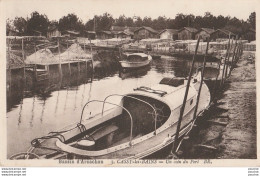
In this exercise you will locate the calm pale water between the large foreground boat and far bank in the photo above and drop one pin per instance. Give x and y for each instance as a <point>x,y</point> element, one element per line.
<point>53,104</point>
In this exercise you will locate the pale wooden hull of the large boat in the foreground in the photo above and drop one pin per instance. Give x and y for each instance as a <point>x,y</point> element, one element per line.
<point>140,146</point>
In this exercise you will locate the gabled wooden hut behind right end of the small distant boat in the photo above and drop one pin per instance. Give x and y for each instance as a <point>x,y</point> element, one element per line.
<point>145,32</point>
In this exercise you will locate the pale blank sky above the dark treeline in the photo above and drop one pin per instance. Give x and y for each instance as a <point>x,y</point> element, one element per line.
<point>86,9</point>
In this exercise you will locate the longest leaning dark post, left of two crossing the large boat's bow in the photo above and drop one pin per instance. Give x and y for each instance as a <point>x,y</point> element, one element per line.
<point>176,141</point>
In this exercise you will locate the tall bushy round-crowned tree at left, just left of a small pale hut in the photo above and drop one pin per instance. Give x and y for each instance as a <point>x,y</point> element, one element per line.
<point>37,22</point>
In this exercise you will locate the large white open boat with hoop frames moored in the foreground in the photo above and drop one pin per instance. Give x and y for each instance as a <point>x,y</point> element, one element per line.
<point>142,123</point>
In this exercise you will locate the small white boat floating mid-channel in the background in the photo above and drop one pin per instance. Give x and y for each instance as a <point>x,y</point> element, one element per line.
<point>135,60</point>
